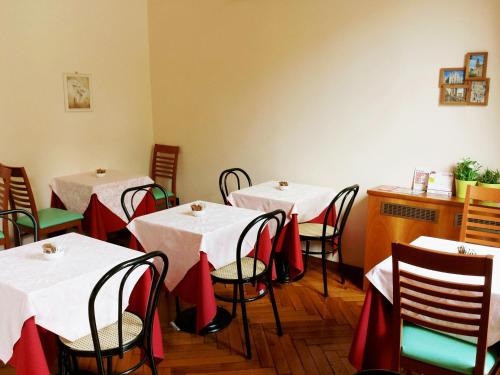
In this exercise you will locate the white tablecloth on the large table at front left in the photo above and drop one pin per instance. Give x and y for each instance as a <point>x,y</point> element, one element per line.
<point>56,292</point>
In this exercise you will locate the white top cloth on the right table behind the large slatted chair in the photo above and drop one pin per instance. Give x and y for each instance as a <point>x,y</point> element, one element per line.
<point>381,276</point>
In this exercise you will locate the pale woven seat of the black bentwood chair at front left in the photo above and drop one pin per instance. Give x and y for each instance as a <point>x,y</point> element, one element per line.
<point>108,336</point>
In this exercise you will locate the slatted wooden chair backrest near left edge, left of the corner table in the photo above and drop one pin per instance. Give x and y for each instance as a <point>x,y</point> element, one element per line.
<point>20,194</point>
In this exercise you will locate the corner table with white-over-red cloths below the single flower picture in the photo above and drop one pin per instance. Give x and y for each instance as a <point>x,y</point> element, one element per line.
<point>98,197</point>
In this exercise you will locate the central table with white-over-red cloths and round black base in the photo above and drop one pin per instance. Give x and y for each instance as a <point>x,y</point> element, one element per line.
<point>196,245</point>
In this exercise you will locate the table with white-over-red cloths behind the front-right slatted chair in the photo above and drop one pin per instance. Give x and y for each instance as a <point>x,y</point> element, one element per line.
<point>372,343</point>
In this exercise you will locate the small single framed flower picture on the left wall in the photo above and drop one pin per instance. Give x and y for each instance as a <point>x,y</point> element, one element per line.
<point>77,92</point>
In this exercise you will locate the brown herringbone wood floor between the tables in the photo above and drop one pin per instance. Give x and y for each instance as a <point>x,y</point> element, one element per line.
<point>316,340</point>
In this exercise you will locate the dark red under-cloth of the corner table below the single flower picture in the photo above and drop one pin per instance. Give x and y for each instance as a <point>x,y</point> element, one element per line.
<point>98,220</point>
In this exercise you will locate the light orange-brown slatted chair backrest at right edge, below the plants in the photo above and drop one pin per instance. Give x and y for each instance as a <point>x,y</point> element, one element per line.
<point>481,216</point>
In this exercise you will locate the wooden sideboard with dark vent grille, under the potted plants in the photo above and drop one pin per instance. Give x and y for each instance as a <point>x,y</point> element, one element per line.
<point>395,214</point>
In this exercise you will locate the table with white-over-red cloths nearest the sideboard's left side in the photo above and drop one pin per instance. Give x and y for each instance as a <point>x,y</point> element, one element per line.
<point>302,204</point>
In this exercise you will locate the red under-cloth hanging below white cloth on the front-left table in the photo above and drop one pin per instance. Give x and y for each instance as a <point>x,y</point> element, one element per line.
<point>36,349</point>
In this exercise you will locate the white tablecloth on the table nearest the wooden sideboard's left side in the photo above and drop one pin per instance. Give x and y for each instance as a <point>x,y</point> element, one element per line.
<point>304,200</point>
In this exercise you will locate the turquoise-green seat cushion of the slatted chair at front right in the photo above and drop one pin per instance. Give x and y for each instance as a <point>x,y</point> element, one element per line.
<point>444,351</point>
